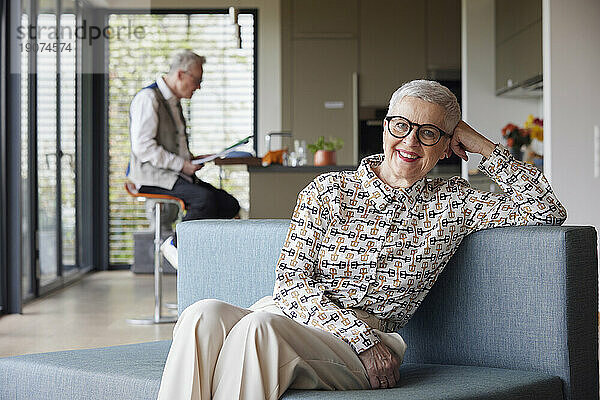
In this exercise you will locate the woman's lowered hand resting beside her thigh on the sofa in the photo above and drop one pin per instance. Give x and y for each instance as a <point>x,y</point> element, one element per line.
<point>382,366</point>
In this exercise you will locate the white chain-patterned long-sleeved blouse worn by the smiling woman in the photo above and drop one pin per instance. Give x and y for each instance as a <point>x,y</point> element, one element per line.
<point>355,242</point>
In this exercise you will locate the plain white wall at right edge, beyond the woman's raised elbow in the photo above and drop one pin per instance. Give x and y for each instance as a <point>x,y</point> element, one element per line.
<point>572,104</point>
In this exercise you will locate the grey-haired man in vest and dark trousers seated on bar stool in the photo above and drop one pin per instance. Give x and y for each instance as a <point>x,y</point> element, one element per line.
<point>160,156</point>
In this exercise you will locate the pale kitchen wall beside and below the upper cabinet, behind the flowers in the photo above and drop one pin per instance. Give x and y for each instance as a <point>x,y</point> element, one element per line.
<point>481,108</point>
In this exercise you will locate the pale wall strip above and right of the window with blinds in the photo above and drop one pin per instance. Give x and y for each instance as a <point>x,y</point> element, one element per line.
<point>269,50</point>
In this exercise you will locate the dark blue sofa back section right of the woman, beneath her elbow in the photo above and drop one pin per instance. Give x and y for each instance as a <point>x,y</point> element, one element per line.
<point>520,298</point>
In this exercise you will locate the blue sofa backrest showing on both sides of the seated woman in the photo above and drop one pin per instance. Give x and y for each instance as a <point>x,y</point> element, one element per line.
<point>518,297</point>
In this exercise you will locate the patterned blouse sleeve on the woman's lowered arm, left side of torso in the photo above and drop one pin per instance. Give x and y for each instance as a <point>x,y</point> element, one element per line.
<point>297,291</point>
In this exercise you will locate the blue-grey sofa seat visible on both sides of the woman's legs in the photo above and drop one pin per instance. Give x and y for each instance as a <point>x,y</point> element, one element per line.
<point>134,372</point>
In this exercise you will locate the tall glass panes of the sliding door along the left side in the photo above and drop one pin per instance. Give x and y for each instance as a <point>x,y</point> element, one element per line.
<point>49,143</point>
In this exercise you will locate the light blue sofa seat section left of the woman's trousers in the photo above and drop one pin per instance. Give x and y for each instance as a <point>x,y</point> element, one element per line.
<point>119,372</point>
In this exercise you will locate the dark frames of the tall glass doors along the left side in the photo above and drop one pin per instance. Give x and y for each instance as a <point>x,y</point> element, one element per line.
<point>12,202</point>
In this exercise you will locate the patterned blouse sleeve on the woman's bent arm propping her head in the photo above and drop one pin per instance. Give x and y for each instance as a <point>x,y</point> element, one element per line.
<point>528,198</point>
